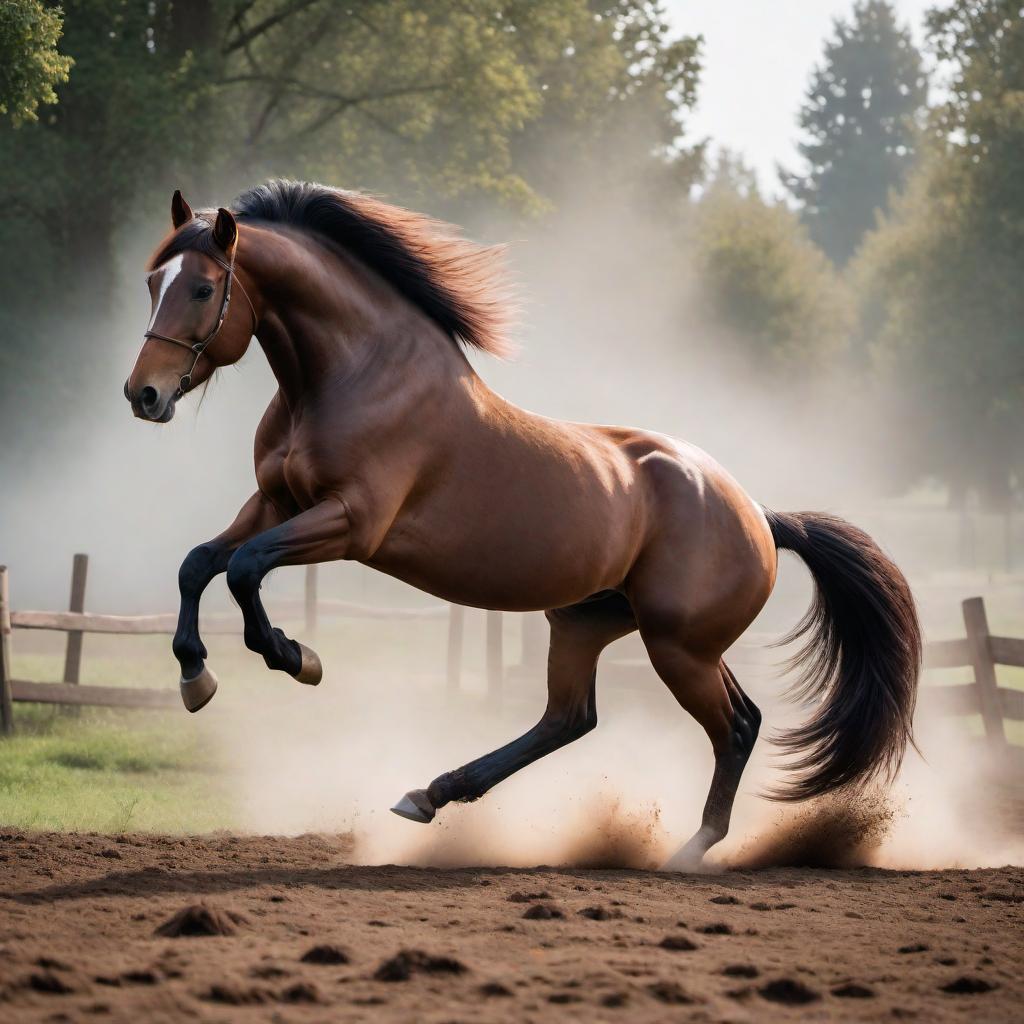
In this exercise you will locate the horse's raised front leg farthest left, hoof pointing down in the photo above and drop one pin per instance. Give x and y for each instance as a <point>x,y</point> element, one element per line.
<point>199,569</point>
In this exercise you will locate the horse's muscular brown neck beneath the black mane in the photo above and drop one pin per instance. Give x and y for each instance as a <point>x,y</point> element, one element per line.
<point>327,320</point>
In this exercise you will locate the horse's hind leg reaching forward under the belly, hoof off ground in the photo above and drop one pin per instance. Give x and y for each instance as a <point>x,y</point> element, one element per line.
<point>579,634</point>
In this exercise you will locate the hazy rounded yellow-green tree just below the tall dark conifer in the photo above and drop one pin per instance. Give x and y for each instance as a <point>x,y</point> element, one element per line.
<point>763,281</point>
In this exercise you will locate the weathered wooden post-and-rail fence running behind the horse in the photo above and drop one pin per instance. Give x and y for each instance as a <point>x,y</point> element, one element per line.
<point>979,651</point>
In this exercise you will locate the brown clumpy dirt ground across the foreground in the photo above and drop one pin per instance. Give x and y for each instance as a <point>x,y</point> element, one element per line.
<point>88,923</point>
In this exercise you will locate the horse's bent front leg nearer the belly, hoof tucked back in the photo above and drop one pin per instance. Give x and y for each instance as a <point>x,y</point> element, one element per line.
<point>319,535</point>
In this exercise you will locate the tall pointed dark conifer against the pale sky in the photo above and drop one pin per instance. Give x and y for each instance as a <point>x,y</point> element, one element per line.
<point>860,122</point>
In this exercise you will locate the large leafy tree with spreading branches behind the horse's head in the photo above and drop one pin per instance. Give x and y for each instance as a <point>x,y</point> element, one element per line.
<point>406,98</point>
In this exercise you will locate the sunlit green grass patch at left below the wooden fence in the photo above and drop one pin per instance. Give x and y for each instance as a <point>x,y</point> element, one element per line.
<point>102,771</point>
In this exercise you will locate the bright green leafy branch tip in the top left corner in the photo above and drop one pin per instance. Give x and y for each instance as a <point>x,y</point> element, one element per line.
<point>30,64</point>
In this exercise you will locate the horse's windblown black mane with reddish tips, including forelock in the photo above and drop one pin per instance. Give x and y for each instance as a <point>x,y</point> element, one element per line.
<point>458,284</point>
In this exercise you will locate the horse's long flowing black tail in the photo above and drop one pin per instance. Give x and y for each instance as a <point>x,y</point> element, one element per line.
<point>862,659</point>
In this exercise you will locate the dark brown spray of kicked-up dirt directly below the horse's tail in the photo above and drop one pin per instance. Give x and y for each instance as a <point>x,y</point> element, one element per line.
<point>840,831</point>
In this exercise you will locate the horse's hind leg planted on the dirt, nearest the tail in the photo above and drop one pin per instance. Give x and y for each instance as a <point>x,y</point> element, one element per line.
<point>710,693</point>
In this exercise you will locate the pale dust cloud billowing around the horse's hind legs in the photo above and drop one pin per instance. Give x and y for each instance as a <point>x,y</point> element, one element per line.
<point>628,795</point>
